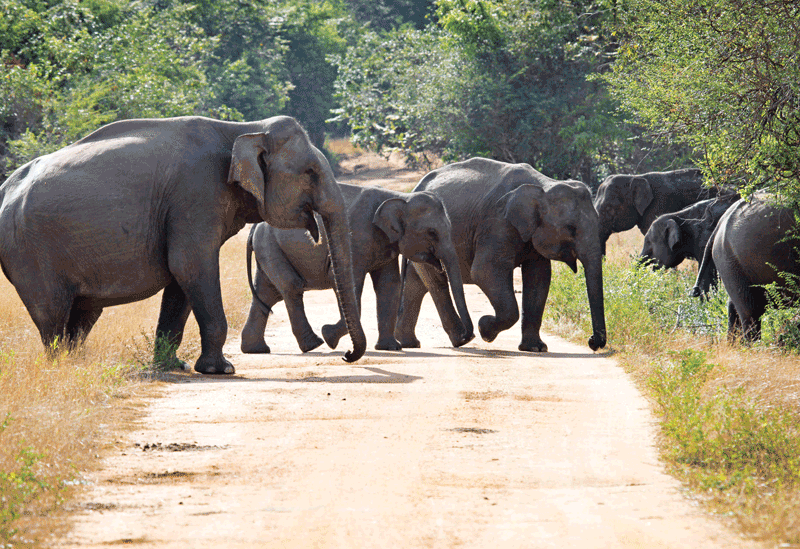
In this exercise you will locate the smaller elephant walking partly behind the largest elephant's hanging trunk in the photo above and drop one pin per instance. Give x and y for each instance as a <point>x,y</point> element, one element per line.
<point>384,224</point>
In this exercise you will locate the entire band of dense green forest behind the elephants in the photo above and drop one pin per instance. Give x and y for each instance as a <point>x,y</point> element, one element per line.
<point>579,88</point>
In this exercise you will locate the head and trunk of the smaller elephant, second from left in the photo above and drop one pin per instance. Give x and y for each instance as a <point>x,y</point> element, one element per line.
<point>420,226</point>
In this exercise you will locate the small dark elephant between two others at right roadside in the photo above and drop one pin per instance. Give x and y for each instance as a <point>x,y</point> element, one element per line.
<point>684,234</point>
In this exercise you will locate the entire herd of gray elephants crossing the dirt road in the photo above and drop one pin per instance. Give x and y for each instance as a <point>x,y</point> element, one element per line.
<point>141,206</point>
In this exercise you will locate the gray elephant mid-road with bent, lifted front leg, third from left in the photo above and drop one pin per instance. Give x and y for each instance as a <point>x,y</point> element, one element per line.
<point>505,216</point>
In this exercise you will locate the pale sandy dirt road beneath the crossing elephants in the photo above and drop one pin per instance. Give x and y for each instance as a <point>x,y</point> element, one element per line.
<point>477,447</point>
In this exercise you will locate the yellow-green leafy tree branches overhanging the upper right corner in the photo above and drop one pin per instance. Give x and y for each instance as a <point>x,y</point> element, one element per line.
<point>721,76</point>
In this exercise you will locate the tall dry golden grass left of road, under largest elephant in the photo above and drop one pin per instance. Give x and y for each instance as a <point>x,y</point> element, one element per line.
<point>57,415</point>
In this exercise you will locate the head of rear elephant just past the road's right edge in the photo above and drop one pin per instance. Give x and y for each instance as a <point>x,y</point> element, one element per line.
<point>621,202</point>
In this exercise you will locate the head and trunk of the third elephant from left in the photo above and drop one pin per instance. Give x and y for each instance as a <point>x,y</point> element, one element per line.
<point>560,221</point>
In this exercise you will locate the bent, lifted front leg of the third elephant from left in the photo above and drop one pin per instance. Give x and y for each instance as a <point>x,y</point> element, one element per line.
<point>497,282</point>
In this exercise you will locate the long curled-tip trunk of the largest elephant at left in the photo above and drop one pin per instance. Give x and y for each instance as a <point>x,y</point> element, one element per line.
<point>332,210</point>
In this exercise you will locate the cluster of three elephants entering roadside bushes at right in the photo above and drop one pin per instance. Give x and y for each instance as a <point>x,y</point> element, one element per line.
<point>747,243</point>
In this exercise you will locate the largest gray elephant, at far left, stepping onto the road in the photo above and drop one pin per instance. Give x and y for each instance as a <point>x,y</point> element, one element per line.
<point>144,205</point>
